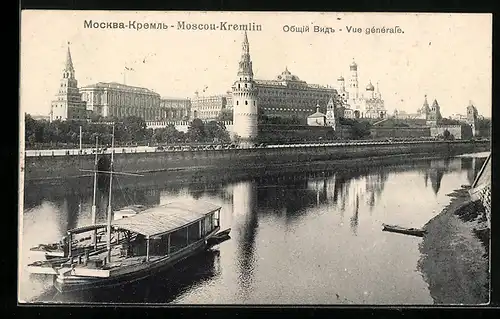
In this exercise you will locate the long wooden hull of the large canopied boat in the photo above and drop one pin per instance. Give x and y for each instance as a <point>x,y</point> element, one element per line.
<point>72,283</point>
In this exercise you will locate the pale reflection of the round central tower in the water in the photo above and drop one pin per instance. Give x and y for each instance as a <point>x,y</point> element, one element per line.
<point>244,212</point>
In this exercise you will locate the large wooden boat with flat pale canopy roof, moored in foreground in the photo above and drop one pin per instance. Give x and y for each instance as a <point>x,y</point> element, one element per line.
<point>165,235</point>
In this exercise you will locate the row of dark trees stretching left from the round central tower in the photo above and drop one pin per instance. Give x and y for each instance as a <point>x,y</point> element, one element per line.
<point>131,130</point>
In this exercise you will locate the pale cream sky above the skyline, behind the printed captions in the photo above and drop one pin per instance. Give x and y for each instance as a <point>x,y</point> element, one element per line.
<point>445,56</point>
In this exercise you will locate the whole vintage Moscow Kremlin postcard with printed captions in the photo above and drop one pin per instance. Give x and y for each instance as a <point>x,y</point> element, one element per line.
<point>254,158</point>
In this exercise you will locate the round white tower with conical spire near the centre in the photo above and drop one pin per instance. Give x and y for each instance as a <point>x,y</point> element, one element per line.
<point>245,103</point>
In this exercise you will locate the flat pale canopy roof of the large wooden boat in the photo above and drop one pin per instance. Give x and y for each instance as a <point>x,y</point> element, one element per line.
<point>166,218</point>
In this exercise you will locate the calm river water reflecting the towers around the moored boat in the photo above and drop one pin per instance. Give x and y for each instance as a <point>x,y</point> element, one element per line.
<point>301,237</point>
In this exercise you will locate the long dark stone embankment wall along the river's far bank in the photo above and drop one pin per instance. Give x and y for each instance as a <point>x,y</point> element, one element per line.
<point>57,167</point>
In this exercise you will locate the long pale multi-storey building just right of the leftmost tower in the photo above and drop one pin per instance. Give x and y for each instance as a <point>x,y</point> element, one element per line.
<point>119,100</point>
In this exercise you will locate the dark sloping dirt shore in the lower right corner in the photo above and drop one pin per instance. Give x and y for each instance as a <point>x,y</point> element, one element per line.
<point>455,253</point>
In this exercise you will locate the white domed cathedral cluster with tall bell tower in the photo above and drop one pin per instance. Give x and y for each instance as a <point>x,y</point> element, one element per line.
<point>360,105</point>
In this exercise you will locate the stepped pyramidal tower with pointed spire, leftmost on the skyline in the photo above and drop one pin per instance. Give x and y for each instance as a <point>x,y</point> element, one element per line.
<point>68,104</point>
